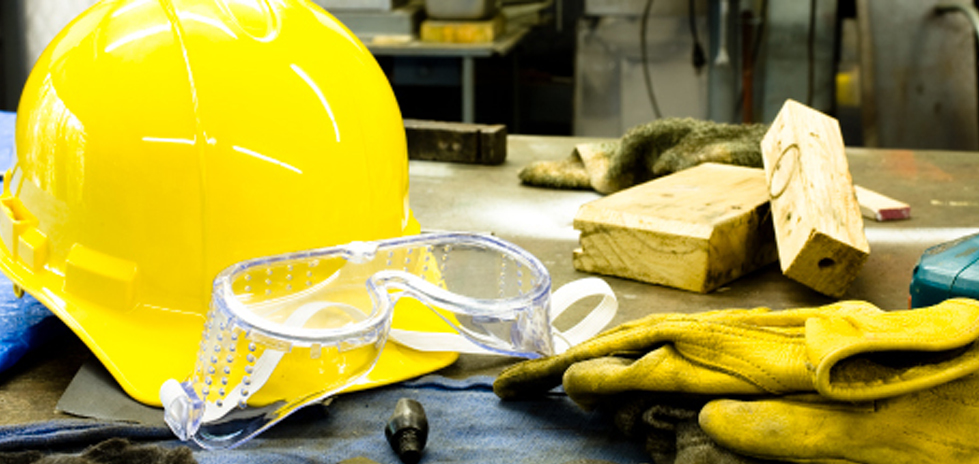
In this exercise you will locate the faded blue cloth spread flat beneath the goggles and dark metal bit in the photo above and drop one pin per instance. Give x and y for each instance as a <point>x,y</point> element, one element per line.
<point>467,424</point>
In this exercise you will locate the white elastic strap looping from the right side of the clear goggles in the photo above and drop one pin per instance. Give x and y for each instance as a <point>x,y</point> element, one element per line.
<point>561,299</point>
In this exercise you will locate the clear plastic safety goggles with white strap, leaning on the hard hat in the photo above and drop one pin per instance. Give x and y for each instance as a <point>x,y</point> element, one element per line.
<point>290,330</point>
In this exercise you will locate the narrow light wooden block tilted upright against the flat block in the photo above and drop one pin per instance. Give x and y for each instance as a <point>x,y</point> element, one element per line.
<point>821,242</point>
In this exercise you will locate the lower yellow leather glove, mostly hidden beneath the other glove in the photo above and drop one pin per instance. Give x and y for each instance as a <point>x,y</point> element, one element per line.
<point>937,425</point>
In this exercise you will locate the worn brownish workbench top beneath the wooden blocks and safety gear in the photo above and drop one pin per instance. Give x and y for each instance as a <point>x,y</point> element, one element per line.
<point>939,186</point>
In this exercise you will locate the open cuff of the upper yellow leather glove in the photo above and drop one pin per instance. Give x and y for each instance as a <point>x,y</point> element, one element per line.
<point>865,355</point>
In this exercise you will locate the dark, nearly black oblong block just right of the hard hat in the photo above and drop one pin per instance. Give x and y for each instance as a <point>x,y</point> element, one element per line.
<point>456,142</point>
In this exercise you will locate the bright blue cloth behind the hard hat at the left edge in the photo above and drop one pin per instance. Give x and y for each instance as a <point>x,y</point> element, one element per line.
<point>24,322</point>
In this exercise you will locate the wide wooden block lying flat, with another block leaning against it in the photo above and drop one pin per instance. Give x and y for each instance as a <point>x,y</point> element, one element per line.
<point>696,229</point>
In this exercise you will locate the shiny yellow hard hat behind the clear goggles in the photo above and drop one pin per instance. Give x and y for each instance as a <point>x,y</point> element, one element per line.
<point>161,141</point>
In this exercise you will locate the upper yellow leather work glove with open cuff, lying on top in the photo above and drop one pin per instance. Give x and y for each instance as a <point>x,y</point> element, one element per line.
<point>849,351</point>
